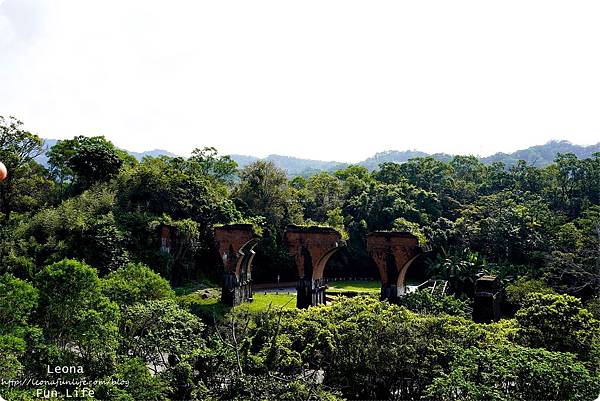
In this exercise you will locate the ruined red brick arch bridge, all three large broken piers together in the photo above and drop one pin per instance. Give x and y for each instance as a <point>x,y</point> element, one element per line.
<point>311,248</point>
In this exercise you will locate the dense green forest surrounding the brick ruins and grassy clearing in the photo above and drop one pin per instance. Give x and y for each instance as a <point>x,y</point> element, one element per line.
<point>83,280</point>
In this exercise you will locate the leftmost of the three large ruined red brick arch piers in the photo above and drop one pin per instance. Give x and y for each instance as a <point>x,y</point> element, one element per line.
<point>235,244</point>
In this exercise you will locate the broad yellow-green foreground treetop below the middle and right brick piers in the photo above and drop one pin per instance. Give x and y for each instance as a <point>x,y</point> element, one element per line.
<point>374,350</point>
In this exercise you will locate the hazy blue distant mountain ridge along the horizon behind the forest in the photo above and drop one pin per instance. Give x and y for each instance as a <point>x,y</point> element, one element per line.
<point>539,156</point>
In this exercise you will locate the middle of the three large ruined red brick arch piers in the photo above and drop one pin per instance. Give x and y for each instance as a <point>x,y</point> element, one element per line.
<point>311,248</point>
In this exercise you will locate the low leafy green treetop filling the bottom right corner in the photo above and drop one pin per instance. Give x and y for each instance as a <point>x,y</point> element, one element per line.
<point>512,372</point>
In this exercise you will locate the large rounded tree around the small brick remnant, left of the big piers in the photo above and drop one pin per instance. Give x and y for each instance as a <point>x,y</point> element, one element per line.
<point>178,193</point>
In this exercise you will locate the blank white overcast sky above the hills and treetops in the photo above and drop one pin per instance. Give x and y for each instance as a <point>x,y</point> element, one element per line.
<point>332,80</point>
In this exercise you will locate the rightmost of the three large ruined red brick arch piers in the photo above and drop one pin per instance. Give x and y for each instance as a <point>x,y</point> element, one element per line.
<point>393,253</point>
